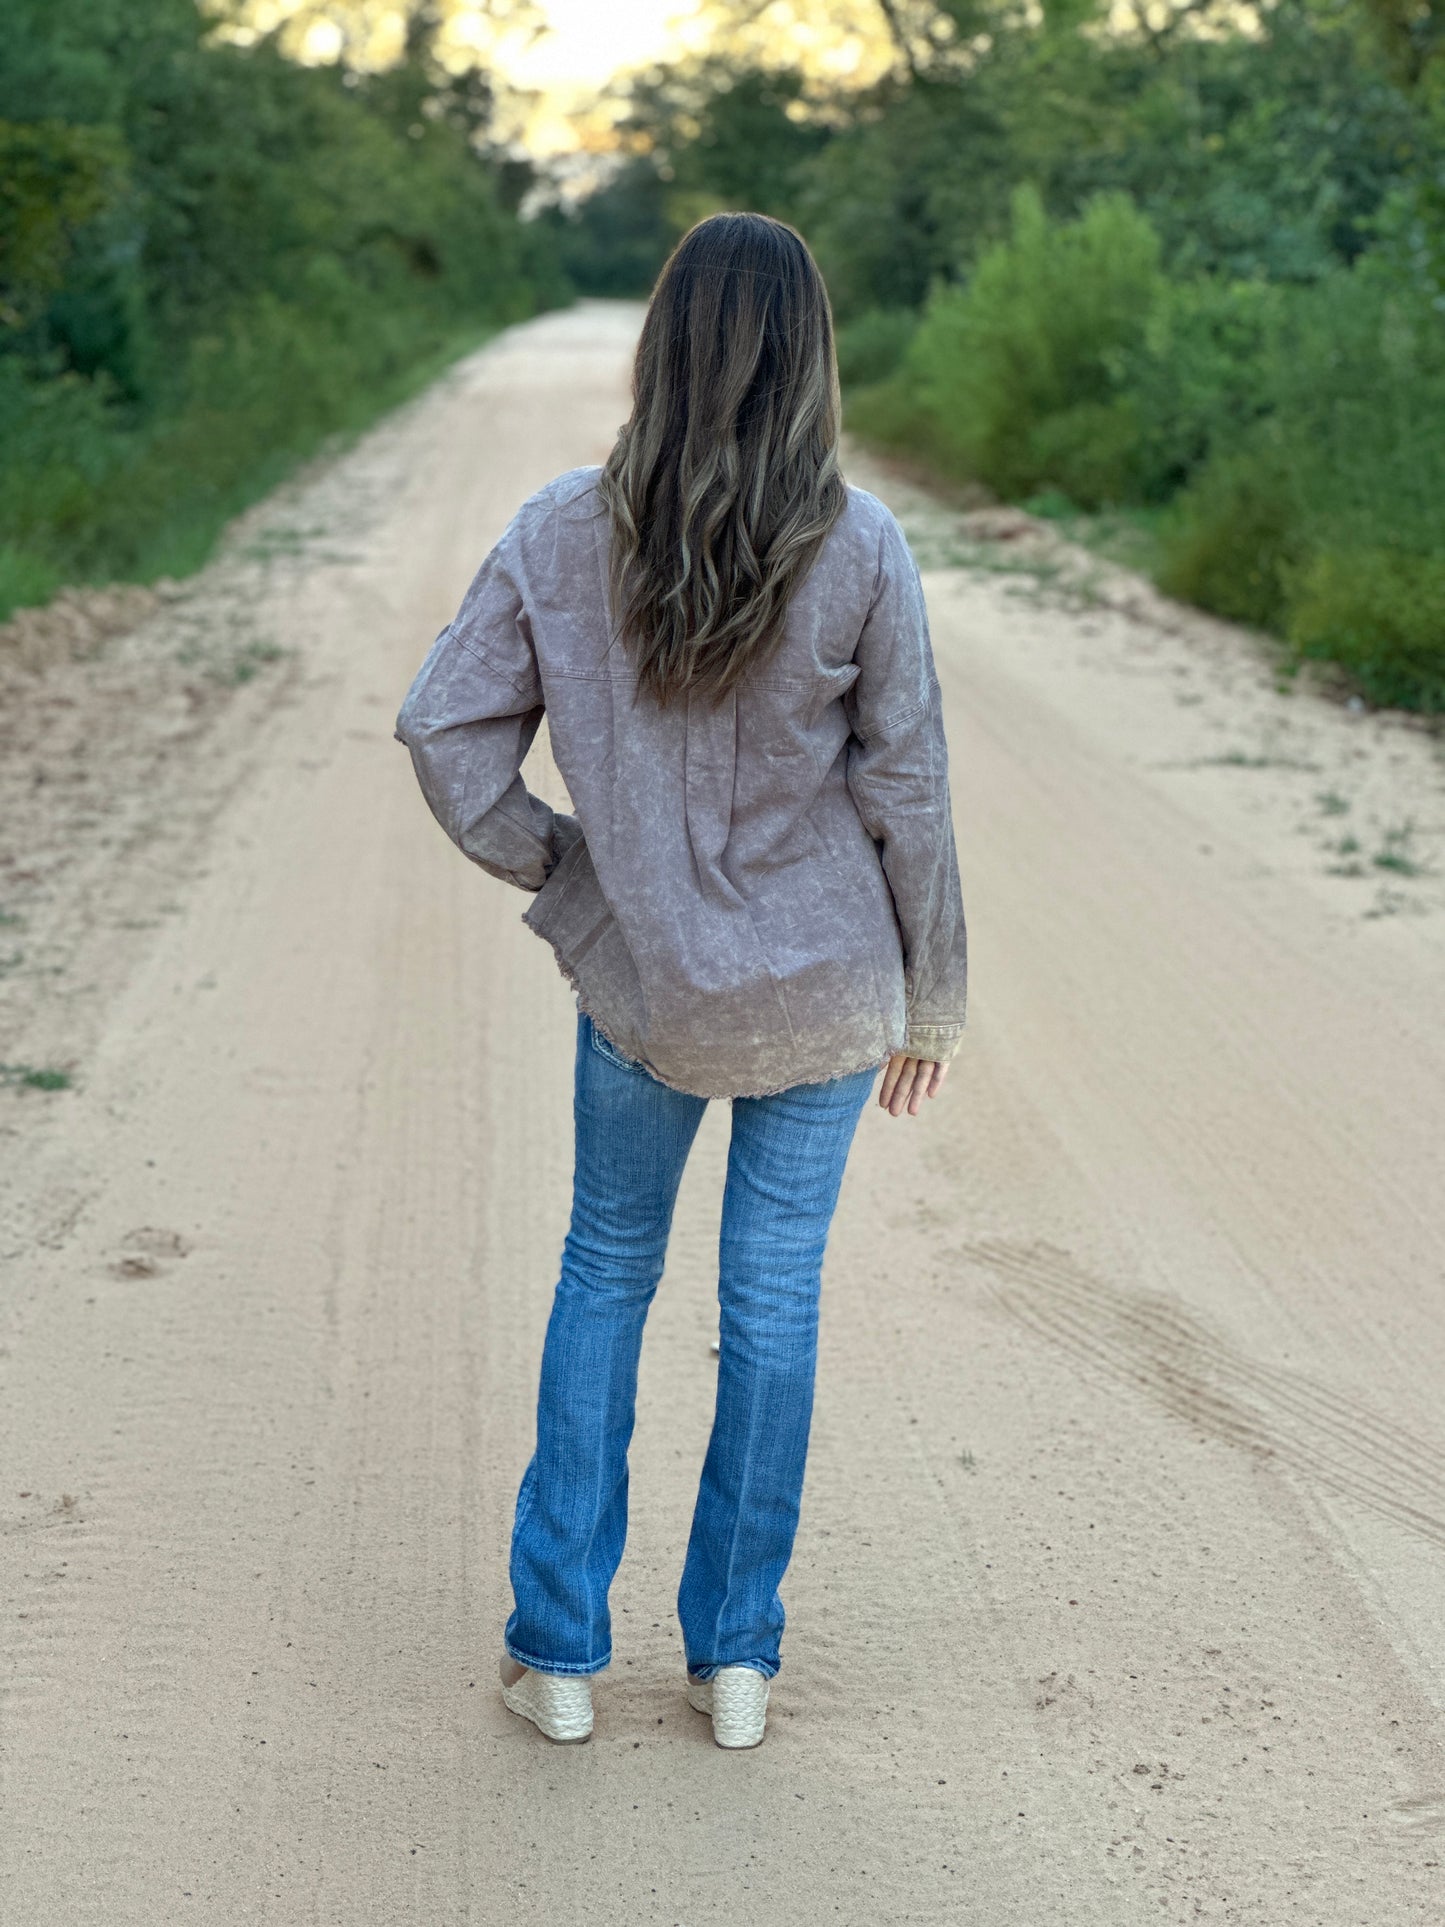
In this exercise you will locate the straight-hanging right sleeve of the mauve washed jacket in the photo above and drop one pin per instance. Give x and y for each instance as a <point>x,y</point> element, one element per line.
<point>899,779</point>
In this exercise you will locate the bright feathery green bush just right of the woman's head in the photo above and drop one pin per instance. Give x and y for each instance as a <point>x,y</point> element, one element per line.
<point>1070,361</point>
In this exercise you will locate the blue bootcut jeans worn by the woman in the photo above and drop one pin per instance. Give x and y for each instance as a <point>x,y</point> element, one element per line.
<point>785,1169</point>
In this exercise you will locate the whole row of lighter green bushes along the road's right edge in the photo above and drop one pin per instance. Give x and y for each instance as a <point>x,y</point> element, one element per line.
<point>1294,435</point>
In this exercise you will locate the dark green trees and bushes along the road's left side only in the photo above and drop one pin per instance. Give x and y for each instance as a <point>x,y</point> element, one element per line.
<point>215,259</point>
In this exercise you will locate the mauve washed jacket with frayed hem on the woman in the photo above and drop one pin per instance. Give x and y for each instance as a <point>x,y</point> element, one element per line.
<point>750,895</point>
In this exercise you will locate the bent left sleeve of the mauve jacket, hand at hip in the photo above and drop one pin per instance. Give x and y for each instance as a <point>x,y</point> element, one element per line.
<point>469,722</point>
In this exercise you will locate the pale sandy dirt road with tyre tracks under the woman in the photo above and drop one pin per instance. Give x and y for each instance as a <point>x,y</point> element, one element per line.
<point>1122,1573</point>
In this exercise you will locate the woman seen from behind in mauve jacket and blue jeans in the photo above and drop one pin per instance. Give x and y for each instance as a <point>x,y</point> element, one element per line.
<point>754,901</point>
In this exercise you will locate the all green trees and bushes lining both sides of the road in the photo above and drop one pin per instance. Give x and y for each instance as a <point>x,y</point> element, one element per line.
<point>1169,275</point>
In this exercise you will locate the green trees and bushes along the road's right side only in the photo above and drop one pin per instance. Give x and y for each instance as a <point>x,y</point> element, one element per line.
<point>1174,277</point>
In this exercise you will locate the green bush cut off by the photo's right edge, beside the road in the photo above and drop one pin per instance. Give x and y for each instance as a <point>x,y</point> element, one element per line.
<point>1325,519</point>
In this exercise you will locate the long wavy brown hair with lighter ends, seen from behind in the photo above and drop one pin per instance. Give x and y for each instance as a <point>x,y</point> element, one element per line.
<point>725,481</point>
